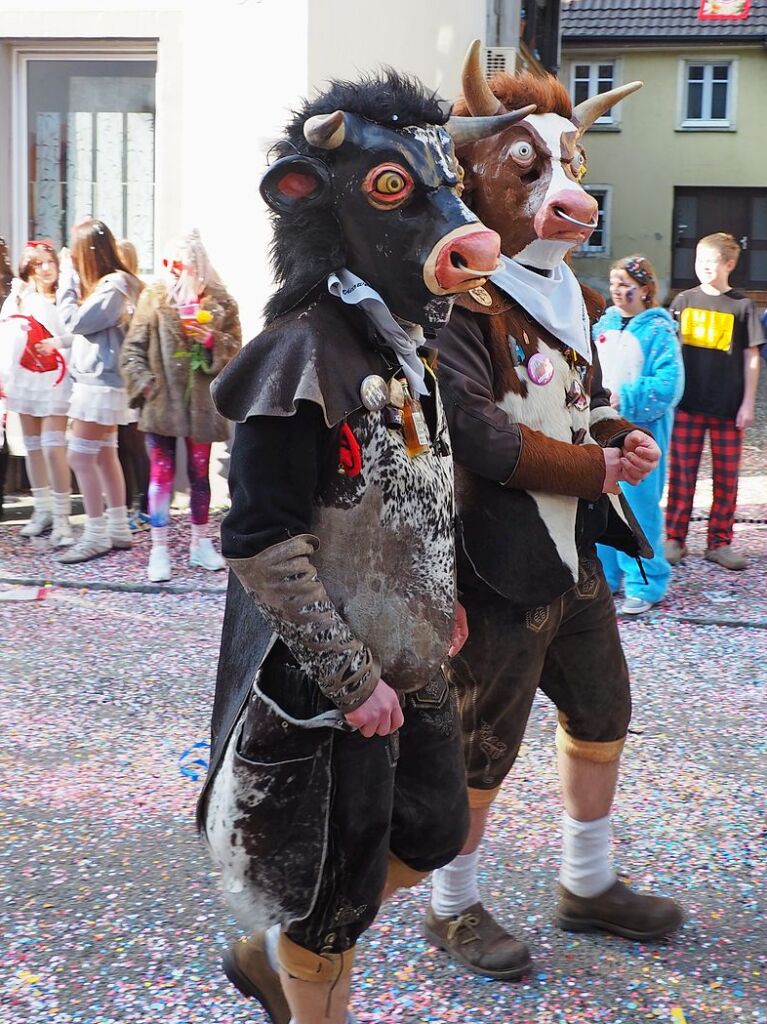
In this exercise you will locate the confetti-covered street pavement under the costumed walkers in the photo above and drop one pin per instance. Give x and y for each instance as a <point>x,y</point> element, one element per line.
<point>111,913</point>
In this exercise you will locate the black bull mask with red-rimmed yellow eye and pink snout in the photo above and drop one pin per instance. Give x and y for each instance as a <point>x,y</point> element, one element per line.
<point>395,193</point>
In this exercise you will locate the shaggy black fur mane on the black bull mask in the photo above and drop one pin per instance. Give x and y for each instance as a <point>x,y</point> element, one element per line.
<point>308,245</point>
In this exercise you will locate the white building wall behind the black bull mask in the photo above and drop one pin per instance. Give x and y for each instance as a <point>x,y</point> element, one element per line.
<point>229,73</point>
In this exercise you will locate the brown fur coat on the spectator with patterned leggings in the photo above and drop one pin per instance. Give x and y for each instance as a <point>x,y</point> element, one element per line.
<point>180,404</point>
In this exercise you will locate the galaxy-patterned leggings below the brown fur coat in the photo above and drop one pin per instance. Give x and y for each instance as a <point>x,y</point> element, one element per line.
<point>163,471</point>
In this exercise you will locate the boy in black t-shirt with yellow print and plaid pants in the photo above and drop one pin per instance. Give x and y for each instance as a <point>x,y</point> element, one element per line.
<point>720,334</point>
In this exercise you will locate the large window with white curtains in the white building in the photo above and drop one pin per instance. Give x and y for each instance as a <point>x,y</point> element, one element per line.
<point>91,147</point>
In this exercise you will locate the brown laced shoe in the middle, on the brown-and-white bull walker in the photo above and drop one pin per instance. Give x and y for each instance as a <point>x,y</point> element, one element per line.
<point>477,940</point>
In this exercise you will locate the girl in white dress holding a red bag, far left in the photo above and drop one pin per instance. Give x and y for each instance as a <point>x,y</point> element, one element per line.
<point>34,348</point>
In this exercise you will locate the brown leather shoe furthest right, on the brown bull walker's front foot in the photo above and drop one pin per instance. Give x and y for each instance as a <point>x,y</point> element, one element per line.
<point>621,912</point>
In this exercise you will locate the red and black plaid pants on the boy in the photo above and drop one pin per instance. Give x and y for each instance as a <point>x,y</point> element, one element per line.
<point>685,459</point>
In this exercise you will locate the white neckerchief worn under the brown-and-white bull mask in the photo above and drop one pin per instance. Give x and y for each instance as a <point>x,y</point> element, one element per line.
<point>556,301</point>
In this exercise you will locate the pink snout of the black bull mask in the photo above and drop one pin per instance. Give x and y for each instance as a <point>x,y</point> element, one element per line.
<point>462,260</point>
